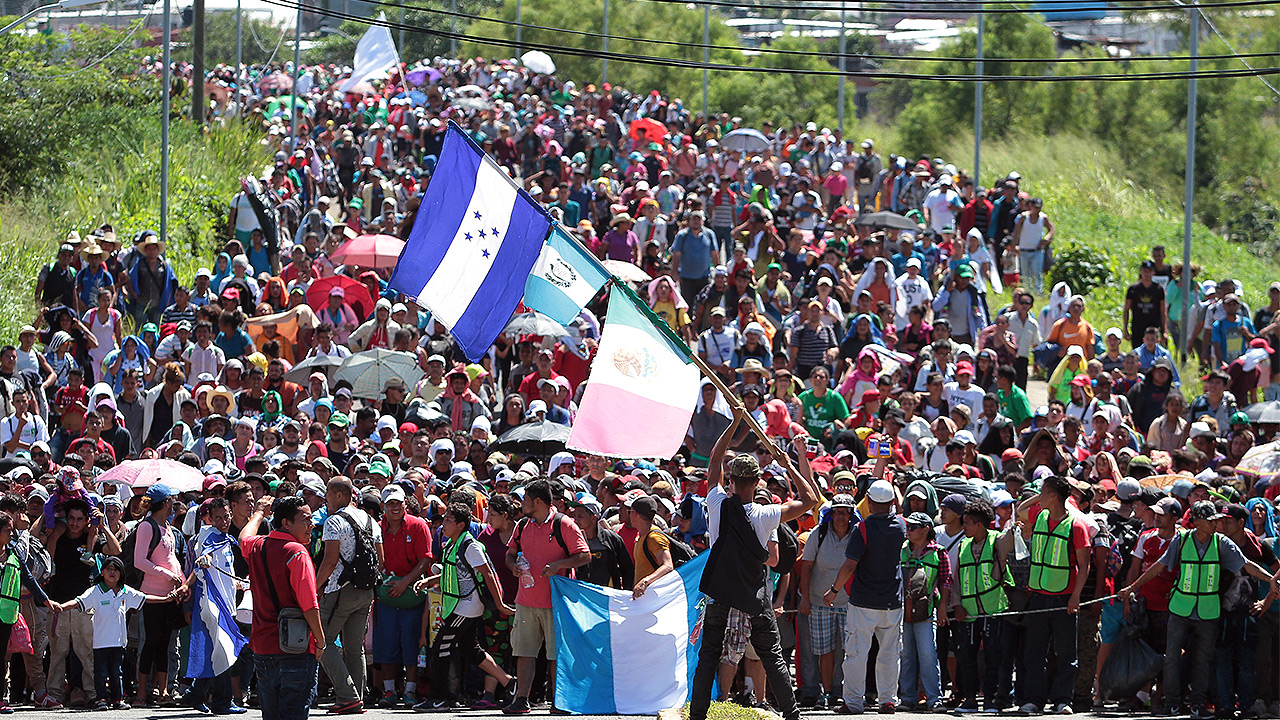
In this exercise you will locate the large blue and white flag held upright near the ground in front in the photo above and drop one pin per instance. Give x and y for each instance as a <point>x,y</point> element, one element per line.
<point>623,657</point>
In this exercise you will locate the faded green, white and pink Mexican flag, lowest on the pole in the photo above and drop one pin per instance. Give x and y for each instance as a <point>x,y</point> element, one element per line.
<point>642,379</point>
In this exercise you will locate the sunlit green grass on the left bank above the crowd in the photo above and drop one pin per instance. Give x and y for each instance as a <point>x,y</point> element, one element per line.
<point>121,185</point>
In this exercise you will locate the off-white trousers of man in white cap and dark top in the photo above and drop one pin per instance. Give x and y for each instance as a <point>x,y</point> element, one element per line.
<point>862,625</point>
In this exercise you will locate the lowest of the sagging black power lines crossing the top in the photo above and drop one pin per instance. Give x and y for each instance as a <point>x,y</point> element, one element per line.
<point>694,65</point>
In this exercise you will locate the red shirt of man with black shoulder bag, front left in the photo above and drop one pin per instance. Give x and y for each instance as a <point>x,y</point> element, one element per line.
<point>285,566</point>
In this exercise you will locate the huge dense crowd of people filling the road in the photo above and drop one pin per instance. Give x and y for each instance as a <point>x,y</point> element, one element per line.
<point>943,545</point>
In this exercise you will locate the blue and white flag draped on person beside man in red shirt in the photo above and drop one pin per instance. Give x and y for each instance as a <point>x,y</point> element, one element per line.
<point>216,639</point>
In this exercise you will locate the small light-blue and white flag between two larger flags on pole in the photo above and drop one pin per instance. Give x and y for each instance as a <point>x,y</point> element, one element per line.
<point>565,279</point>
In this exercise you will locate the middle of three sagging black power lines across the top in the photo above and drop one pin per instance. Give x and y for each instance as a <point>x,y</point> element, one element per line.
<point>816,54</point>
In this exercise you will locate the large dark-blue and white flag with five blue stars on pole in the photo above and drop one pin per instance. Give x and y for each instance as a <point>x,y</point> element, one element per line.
<point>474,241</point>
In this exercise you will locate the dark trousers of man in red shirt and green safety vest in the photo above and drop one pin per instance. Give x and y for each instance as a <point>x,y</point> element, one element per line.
<point>1059,627</point>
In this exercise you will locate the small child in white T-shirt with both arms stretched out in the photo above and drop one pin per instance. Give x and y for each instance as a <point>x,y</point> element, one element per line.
<point>111,600</point>
